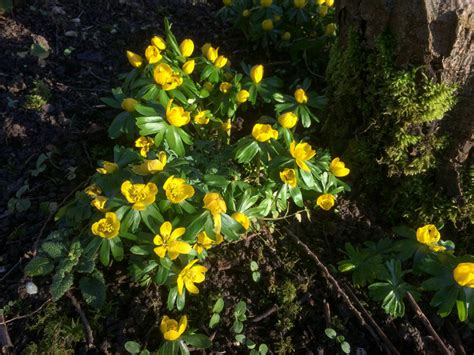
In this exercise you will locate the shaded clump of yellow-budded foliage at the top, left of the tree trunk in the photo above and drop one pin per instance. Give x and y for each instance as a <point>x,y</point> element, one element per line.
<point>300,28</point>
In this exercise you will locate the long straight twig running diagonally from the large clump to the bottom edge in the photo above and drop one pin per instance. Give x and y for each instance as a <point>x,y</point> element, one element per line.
<point>378,334</point>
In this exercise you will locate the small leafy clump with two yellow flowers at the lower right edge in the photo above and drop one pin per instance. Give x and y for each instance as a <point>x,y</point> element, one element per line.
<point>389,267</point>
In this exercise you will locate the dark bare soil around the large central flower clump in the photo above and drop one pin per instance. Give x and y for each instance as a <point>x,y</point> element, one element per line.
<point>289,307</point>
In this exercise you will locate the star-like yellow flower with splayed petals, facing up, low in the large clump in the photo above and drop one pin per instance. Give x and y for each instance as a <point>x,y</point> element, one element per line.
<point>167,242</point>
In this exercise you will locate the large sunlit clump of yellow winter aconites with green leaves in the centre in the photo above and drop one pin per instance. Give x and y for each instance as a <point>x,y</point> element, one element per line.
<point>186,180</point>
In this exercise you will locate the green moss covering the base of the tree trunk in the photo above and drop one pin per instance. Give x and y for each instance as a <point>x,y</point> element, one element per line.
<point>387,121</point>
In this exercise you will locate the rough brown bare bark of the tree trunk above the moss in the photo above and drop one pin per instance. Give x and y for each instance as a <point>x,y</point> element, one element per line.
<point>435,33</point>
